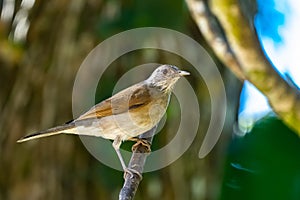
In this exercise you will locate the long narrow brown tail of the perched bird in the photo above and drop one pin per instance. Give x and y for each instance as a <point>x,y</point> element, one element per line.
<point>66,128</point>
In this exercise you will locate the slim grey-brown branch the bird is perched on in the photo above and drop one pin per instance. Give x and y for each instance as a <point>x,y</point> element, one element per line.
<point>137,163</point>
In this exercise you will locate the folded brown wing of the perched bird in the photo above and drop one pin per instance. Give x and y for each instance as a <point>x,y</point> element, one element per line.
<point>129,98</point>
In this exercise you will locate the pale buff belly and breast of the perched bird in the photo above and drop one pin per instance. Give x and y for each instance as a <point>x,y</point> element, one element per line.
<point>125,125</point>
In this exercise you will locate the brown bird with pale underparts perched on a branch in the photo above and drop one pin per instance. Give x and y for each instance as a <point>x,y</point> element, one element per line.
<point>125,115</point>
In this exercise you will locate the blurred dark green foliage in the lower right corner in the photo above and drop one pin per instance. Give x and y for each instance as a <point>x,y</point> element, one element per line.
<point>264,164</point>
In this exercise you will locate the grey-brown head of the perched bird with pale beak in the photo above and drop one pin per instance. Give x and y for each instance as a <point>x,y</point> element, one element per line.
<point>165,76</point>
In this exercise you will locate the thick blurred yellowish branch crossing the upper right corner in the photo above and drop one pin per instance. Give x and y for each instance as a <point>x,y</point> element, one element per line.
<point>242,44</point>
